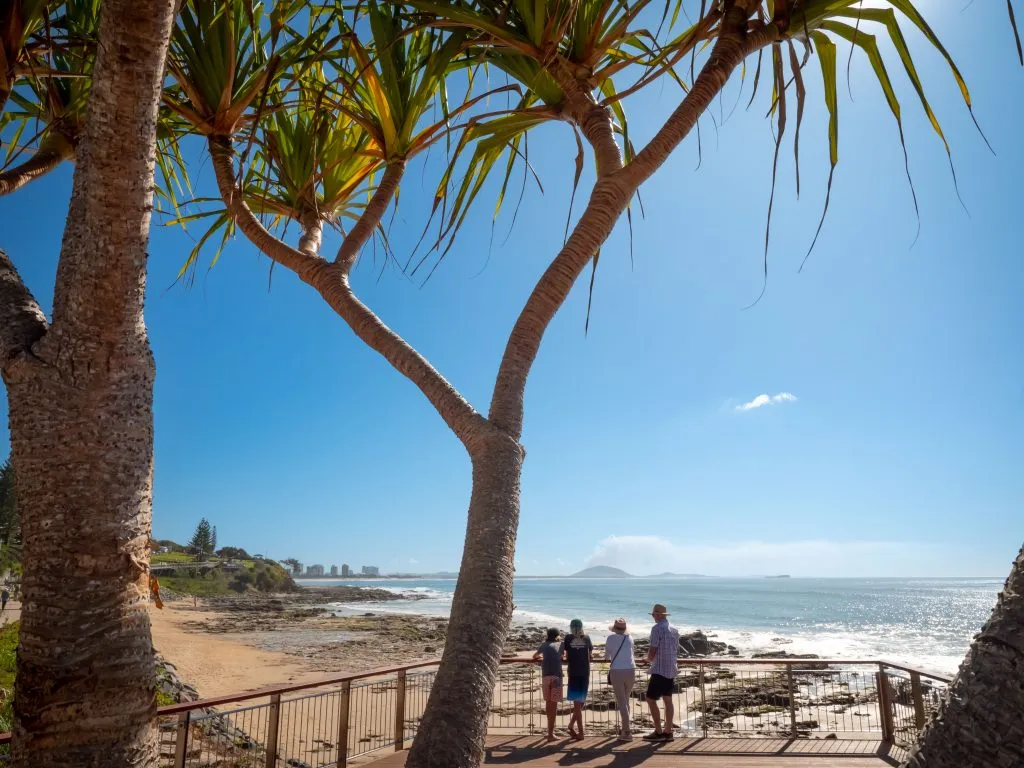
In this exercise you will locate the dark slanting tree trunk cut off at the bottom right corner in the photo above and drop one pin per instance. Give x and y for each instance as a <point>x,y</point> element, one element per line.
<point>982,720</point>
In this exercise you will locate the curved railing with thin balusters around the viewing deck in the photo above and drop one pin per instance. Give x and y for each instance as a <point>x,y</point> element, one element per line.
<point>328,722</point>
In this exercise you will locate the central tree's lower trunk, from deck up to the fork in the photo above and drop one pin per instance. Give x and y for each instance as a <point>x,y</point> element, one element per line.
<point>455,722</point>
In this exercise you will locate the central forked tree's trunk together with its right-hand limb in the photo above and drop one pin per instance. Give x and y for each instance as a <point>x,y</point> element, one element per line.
<point>454,727</point>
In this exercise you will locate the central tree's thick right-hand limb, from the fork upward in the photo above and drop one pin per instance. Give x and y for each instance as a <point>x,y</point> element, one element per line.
<point>609,200</point>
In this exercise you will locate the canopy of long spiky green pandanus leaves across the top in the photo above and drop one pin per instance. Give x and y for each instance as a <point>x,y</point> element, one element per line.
<point>318,101</point>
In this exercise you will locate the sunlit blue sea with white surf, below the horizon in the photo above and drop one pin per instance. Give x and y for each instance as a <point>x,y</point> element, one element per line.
<point>928,623</point>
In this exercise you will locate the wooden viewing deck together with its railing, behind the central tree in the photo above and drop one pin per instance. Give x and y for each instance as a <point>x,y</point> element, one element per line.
<point>744,713</point>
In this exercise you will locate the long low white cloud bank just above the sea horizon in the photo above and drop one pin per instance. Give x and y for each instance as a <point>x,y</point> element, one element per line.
<point>652,554</point>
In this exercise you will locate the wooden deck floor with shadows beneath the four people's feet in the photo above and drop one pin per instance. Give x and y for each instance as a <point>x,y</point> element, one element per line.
<point>603,752</point>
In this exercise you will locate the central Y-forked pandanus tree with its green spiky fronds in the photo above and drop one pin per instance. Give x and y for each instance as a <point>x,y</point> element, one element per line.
<point>326,138</point>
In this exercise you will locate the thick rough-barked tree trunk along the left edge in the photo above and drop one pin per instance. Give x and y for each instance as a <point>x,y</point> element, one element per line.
<point>81,421</point>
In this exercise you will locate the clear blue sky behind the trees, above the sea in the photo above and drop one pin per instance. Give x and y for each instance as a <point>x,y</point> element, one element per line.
<point>897,451</point>
